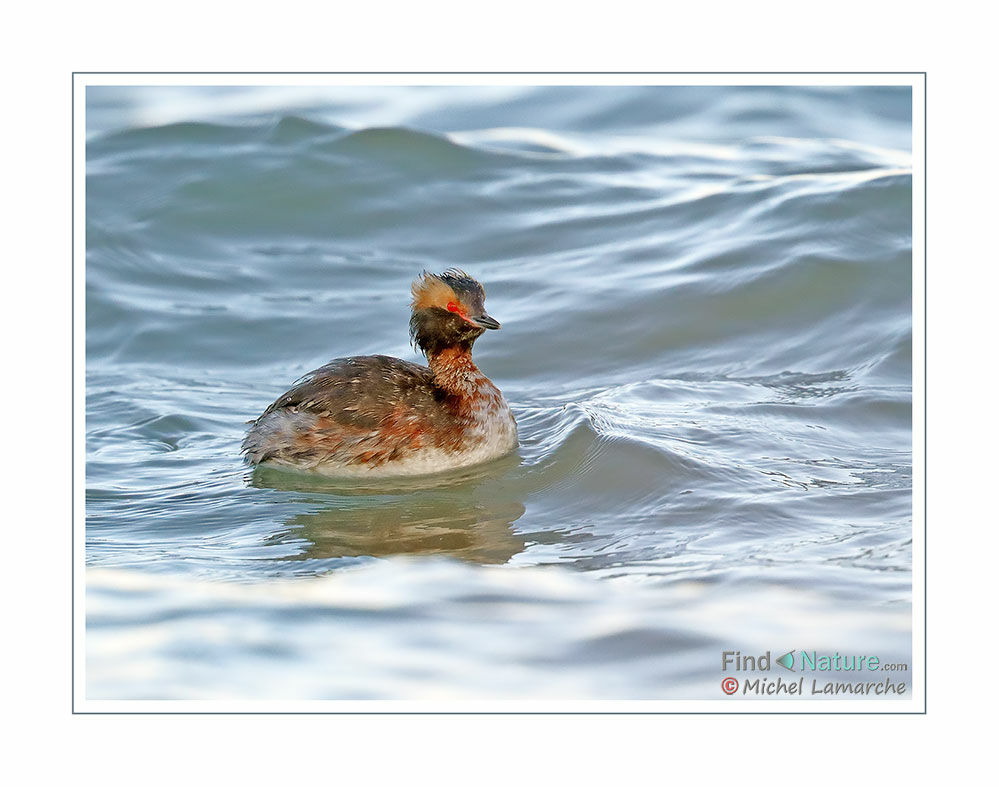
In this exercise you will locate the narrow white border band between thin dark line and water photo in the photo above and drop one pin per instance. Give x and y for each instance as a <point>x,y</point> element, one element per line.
<point>916,703</point>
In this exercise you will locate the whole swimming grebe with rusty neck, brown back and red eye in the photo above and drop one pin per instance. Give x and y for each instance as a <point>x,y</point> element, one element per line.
<point>375,415</point>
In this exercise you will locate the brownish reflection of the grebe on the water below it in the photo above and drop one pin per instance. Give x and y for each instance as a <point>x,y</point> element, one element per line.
<point>468,515</point>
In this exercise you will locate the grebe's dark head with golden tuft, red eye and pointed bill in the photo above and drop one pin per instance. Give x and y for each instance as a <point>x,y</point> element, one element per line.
<point>448,311</point>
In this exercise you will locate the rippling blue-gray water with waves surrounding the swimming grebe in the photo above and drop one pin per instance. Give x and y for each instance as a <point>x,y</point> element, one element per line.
<point>707,342</point>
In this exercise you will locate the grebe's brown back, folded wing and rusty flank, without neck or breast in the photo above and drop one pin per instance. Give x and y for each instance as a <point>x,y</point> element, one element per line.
<point>368,409</point>
